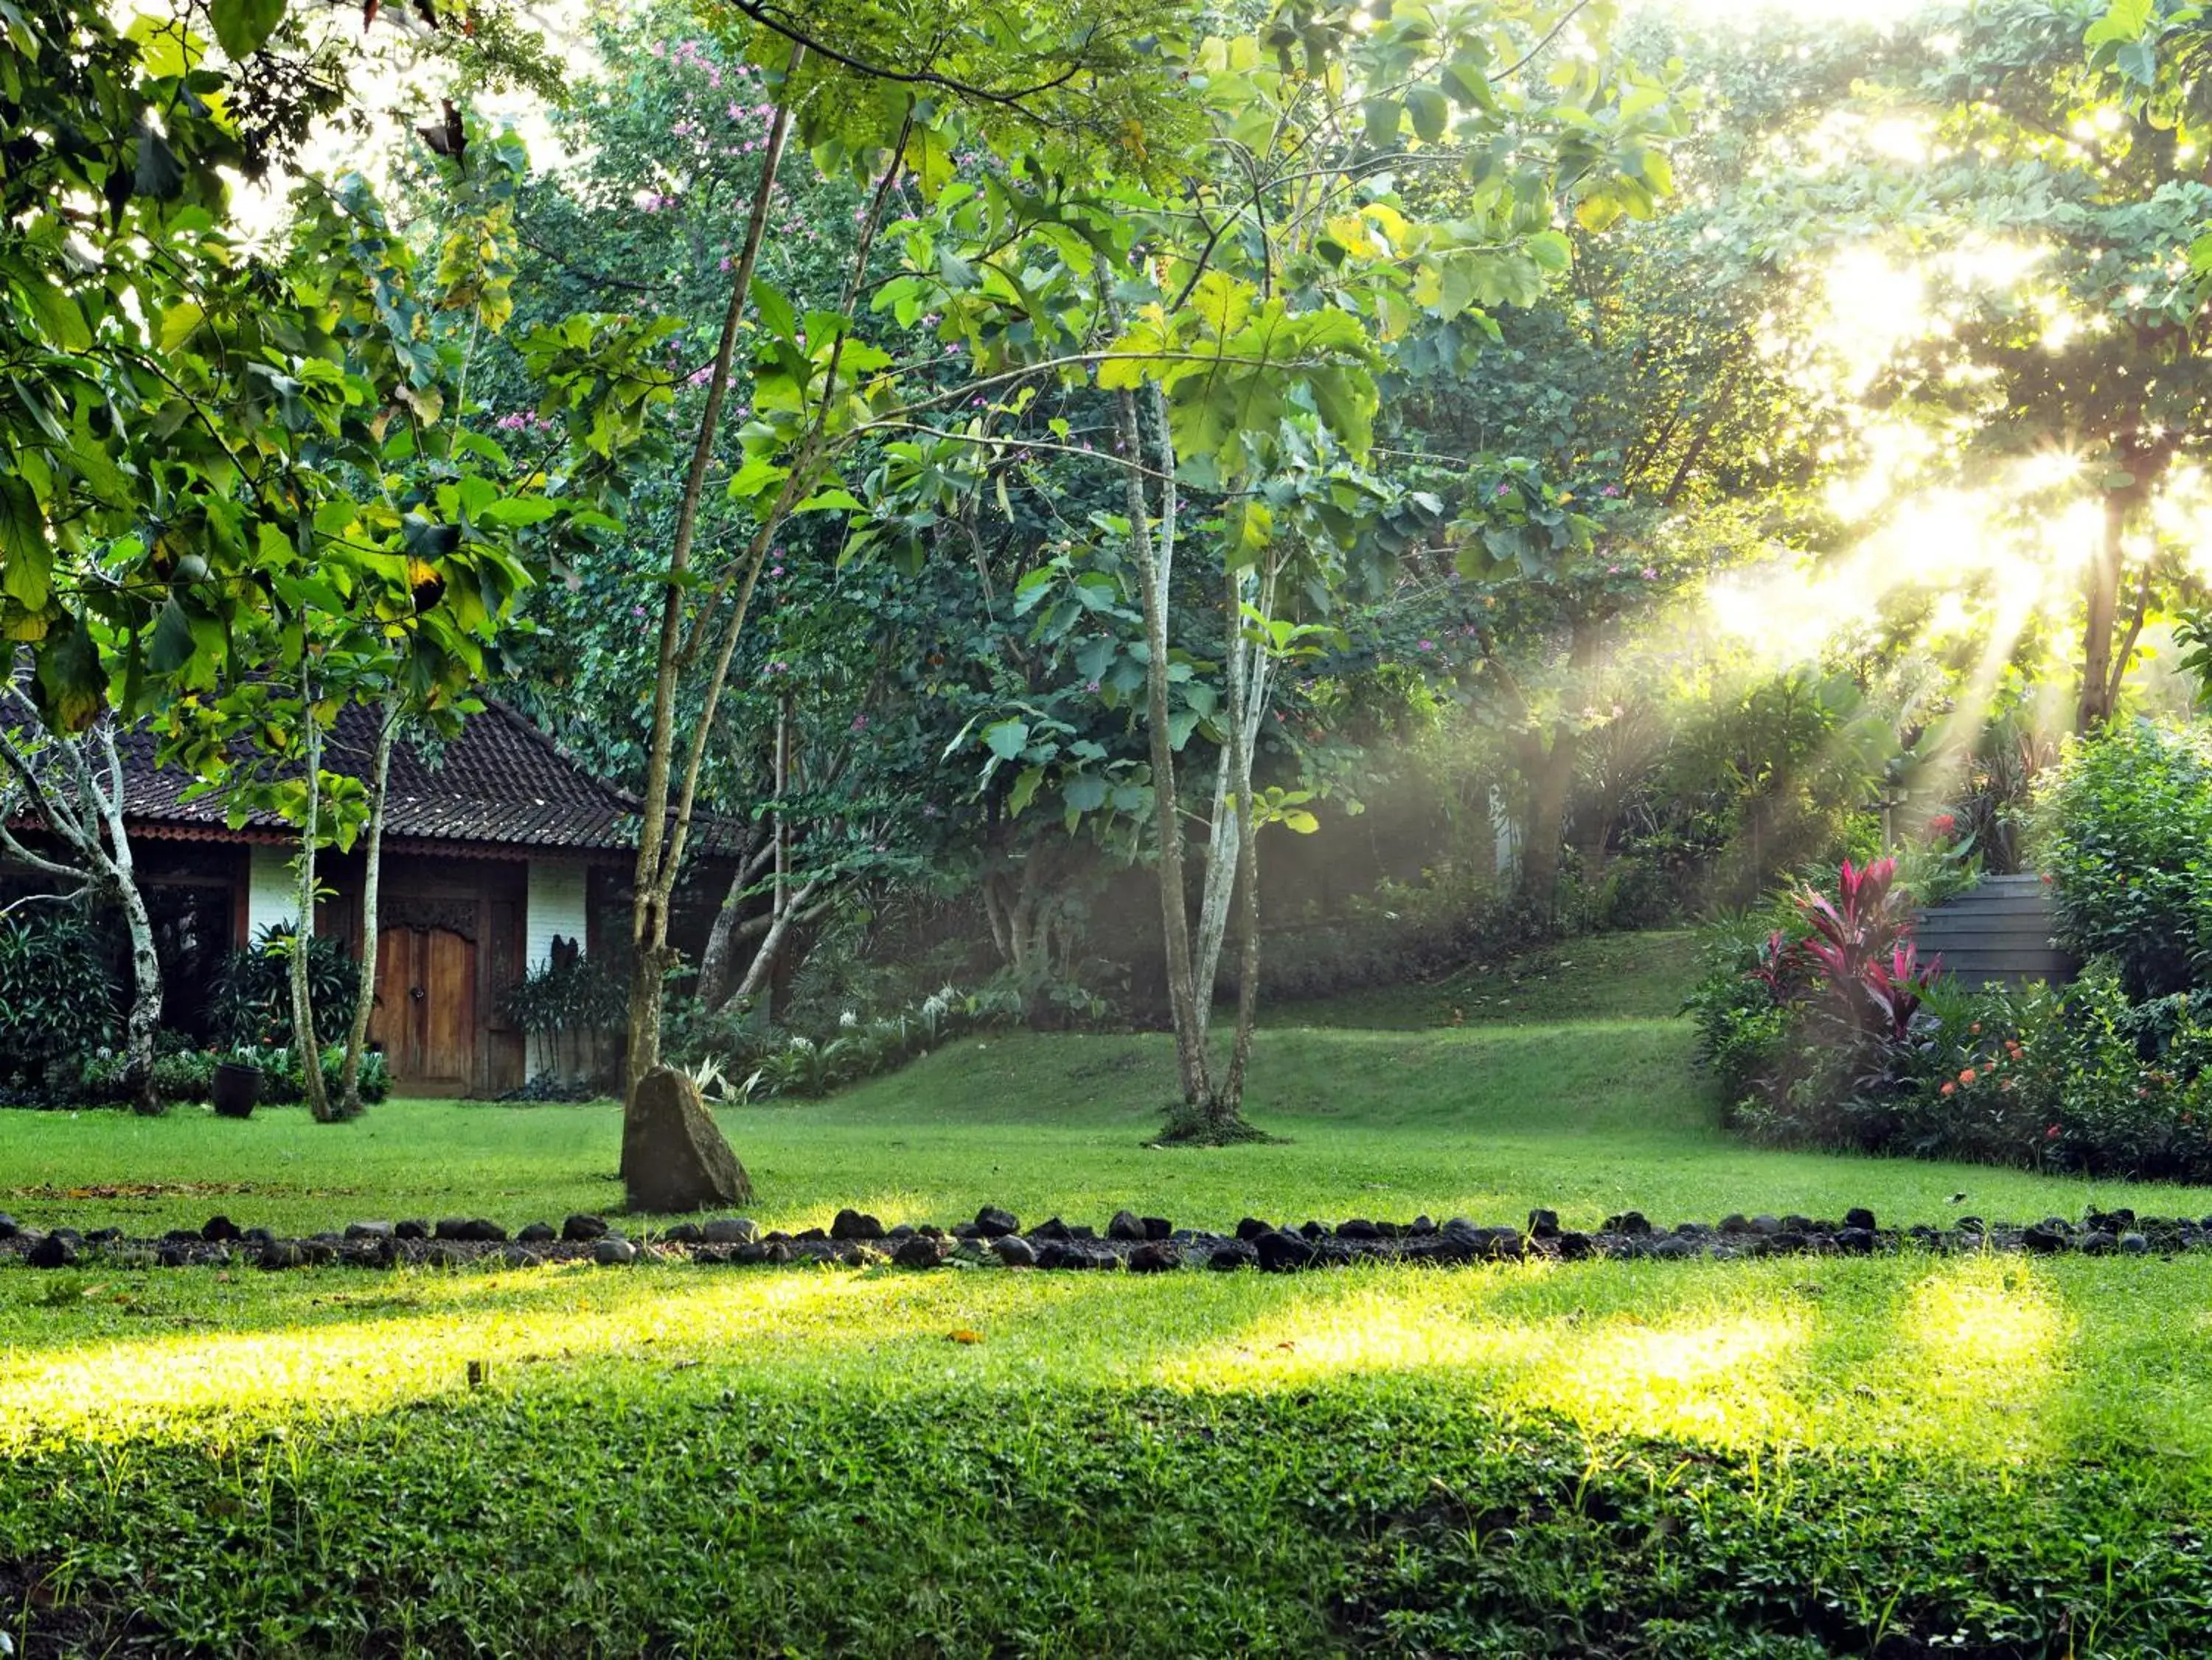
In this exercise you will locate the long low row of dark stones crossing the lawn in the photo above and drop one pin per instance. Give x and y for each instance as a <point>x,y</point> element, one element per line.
<point>1131,1243</point>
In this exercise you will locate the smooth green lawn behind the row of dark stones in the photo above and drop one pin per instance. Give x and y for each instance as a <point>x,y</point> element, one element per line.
<point>1587,1104</point>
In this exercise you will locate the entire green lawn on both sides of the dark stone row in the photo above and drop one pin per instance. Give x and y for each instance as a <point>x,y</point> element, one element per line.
<point>1903,1456</point>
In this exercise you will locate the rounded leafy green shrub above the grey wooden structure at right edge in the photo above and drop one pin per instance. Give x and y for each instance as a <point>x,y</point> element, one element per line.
<point>2125,837</point>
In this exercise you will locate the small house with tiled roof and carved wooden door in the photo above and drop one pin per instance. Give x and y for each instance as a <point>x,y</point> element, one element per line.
<point>497,848</point>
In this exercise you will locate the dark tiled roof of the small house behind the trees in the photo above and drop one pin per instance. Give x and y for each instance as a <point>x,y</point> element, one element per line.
<point>501,784</point>
